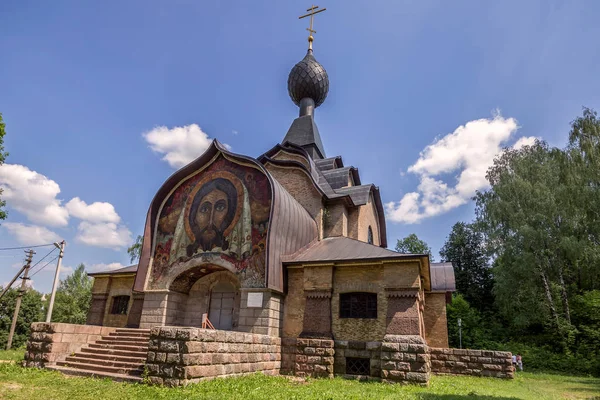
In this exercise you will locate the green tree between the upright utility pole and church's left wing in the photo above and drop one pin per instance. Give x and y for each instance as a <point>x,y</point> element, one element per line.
<point>73,298</point>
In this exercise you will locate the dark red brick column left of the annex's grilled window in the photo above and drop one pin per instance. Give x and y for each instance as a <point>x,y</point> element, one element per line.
<point>317,314</point>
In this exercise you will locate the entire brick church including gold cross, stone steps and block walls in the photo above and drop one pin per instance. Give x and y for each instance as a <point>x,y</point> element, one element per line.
<point>277,264</point>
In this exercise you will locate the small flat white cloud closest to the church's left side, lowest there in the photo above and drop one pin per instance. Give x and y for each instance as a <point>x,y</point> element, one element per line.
<point>103,234</point>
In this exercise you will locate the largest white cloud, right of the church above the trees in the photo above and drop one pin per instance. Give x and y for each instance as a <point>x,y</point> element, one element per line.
<point>468,152</point>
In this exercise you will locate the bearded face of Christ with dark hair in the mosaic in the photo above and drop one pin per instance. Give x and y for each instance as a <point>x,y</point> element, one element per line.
<point>212,211</point>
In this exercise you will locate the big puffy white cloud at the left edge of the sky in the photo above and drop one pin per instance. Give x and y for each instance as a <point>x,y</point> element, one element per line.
<point>32,194</point>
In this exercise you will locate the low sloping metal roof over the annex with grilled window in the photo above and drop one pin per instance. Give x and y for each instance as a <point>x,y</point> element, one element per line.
<point>341,249</point>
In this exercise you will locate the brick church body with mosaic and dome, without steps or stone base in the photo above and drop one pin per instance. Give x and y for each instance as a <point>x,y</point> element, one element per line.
<point>289,244</point>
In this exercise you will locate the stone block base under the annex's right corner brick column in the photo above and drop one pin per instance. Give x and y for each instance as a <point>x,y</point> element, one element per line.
<point>405,358</point>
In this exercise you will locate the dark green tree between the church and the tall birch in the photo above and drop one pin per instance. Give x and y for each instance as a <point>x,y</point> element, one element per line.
<point>465,249</point>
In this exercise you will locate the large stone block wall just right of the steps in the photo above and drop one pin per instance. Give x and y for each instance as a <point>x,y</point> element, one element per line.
<point>178,356</point>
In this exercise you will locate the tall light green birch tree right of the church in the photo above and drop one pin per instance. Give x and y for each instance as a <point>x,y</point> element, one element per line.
<point>530,219</point>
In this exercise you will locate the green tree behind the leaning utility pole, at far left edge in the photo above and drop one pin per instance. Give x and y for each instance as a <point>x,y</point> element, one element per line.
<point>32,310</point>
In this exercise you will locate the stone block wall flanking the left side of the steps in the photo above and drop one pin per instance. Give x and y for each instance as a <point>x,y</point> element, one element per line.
<point>52,342</point>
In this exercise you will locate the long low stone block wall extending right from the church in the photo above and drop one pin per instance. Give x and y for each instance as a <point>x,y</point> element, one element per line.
<point>496,364</point>
